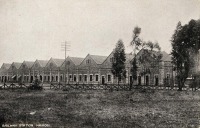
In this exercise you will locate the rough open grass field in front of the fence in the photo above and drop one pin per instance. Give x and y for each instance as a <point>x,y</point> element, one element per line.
<point>117,109</point>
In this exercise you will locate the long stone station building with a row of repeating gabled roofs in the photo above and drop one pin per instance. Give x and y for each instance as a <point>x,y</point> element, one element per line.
<point>93,69</point>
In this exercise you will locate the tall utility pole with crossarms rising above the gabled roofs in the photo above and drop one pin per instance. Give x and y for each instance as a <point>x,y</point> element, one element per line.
<point>65,47</point>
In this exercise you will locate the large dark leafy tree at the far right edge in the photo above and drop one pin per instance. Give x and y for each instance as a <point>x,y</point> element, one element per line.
<point>185,43</point>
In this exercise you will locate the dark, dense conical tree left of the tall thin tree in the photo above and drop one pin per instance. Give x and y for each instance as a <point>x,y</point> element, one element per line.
<point>118,65</point>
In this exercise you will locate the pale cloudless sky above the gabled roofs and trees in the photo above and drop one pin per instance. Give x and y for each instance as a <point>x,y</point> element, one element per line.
<point>35,29</point>
